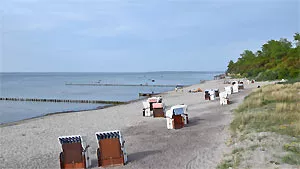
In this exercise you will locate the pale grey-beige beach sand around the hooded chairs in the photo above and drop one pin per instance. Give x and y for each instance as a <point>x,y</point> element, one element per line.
<point>33,143</point>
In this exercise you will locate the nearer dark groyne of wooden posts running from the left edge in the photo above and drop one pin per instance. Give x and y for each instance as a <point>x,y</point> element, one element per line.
<point>64,100</point>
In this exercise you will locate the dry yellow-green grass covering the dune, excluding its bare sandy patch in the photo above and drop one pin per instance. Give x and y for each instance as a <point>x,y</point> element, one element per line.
<point>272,108</point>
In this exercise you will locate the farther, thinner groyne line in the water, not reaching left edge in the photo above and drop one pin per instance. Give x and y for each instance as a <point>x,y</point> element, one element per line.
<point>107,84</point>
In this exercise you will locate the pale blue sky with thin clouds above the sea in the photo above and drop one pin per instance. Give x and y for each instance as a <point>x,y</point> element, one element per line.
<point>138,36</point>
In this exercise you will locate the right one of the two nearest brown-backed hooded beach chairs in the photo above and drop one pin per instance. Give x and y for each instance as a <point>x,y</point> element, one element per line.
<point>111,149</point>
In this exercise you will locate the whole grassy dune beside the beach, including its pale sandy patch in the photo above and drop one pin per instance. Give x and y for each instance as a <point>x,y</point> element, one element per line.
<point>267,124</point>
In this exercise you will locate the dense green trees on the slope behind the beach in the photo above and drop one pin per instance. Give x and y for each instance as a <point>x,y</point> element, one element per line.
<point>277,59</point>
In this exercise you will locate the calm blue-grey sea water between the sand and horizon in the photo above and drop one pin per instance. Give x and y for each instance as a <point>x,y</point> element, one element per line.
<point>52,85</point>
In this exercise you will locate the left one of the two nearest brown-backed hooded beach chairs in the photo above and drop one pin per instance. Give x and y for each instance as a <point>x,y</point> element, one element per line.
<point>74,152</point>
